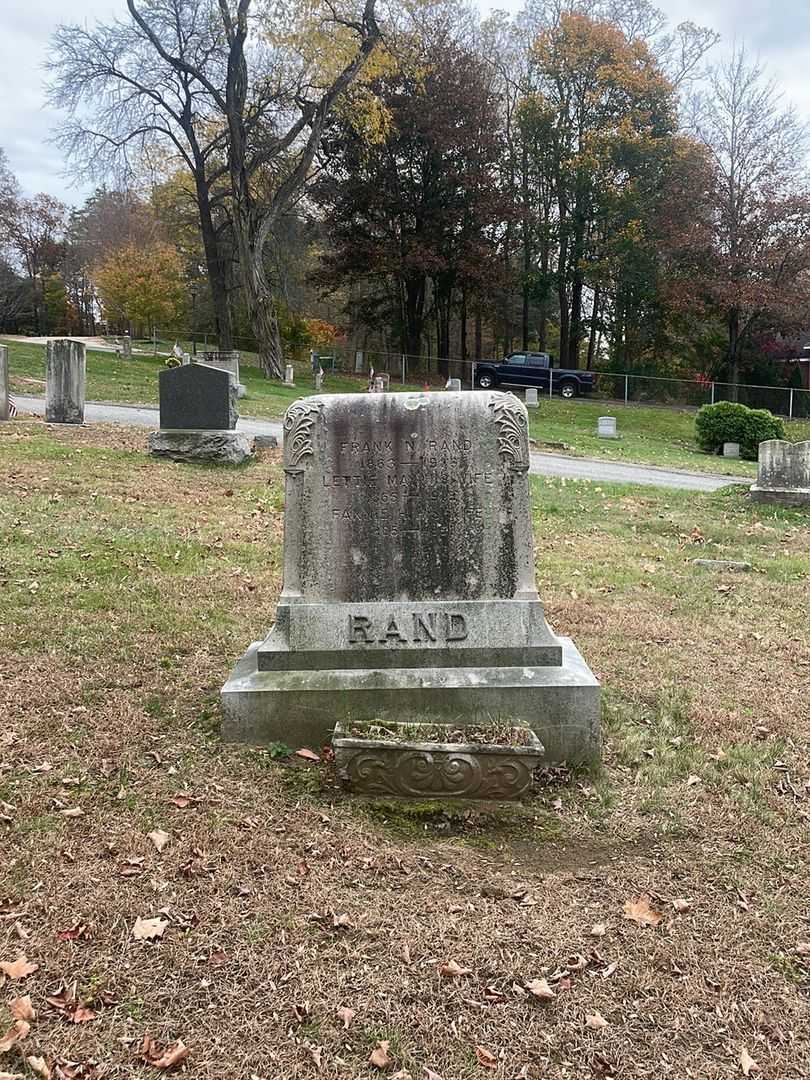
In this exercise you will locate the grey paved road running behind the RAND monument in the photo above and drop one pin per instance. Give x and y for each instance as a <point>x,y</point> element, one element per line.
<point>543,465</point>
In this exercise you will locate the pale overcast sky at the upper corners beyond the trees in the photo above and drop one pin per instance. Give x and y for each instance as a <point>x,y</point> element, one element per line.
<point>778,32</point>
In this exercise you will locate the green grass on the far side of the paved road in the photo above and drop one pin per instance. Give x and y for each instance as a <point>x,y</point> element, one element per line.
<point>649,436</point>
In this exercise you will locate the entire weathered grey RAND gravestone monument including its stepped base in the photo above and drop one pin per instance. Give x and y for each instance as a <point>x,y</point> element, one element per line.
<point>409,580</point>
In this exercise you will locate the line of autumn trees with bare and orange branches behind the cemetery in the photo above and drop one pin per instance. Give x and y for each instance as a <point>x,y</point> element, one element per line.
<point>580,179</point>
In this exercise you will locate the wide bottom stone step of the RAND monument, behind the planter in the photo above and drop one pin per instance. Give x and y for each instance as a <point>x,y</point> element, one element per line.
<point>560,703</point>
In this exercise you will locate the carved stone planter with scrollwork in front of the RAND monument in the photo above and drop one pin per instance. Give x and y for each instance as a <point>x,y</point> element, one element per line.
<point>410,768</point>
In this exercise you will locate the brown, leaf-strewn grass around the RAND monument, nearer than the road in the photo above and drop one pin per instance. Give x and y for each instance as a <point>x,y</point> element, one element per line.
<point>301,929</point>
